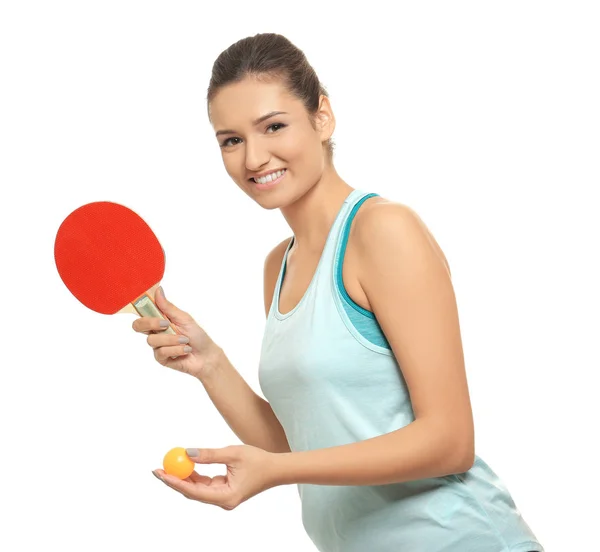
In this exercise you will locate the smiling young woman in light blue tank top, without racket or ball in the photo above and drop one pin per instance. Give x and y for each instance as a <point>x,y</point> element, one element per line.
<point>367,408</point>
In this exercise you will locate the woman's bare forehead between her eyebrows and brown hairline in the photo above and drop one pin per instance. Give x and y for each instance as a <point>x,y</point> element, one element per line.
<point>242,102</point>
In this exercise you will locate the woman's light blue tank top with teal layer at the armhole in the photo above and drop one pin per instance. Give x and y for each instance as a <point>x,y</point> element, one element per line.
<point>332,379</point>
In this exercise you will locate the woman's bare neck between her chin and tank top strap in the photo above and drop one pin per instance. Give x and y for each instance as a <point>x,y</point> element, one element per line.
<point>311,216</point>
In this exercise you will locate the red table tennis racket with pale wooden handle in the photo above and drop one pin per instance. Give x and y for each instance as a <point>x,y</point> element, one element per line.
<point>110,260</point>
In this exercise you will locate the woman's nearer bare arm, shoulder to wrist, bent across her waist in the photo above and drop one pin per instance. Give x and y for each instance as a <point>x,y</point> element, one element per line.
<point>407,281</point>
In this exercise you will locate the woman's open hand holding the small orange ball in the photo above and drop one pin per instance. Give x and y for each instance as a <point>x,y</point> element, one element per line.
<point>249,472</point>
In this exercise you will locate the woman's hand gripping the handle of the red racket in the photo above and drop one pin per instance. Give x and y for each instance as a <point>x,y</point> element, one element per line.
<point>191,351</point>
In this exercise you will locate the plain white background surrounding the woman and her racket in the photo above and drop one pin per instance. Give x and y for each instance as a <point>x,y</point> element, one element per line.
<point>483,117</point>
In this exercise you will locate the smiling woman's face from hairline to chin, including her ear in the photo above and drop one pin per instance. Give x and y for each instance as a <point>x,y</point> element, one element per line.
<point>254,145</point>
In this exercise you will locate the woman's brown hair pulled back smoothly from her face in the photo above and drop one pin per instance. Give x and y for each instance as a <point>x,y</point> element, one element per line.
<point>269,56</point>
